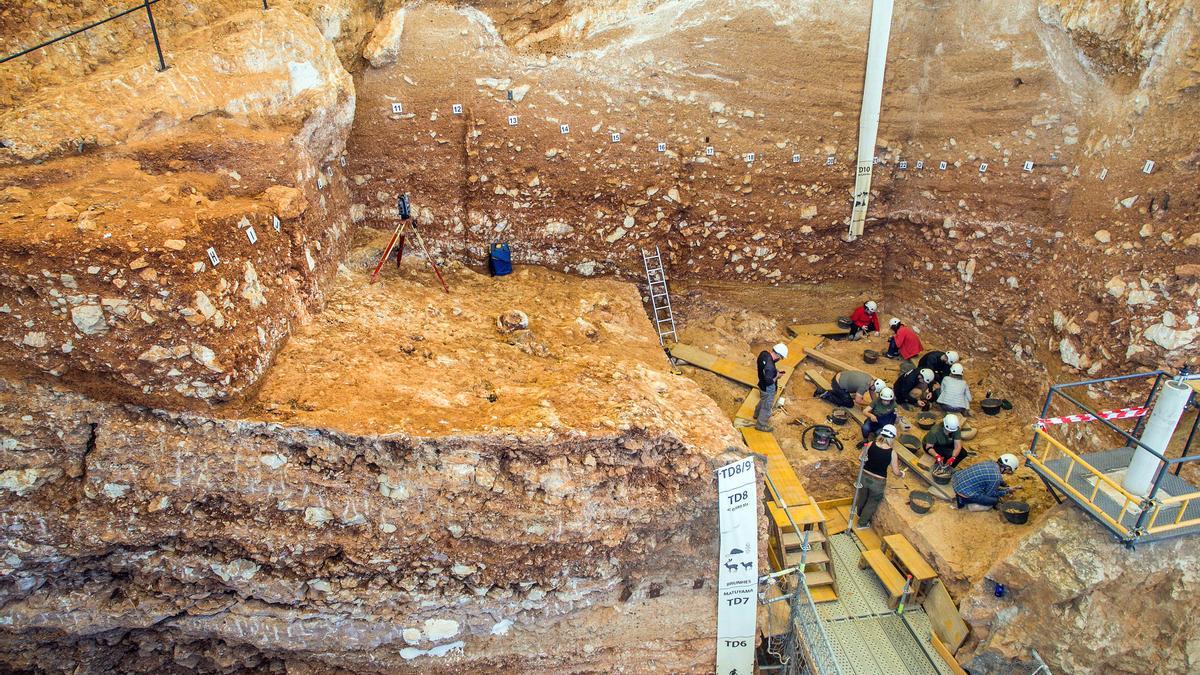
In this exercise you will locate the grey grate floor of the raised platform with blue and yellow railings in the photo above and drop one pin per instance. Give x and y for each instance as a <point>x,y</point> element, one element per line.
<point>1113,462</point>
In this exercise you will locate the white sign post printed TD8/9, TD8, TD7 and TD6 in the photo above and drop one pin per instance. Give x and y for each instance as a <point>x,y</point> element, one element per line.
<point>737,578</point>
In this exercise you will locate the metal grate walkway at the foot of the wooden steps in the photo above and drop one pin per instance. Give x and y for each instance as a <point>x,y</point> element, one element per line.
<point>868,637</point>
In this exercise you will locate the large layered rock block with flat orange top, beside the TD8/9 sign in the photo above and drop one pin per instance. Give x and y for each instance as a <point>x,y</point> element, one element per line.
<point>314,530</point>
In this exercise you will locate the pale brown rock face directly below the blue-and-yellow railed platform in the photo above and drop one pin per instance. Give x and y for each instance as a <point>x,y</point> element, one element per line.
<point>1088,605</point>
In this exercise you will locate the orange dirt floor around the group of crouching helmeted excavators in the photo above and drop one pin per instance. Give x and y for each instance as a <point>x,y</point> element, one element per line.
<point>736,322</point>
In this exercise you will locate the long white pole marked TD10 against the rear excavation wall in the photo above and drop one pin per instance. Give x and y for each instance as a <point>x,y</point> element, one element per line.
<point>869,117</point>
